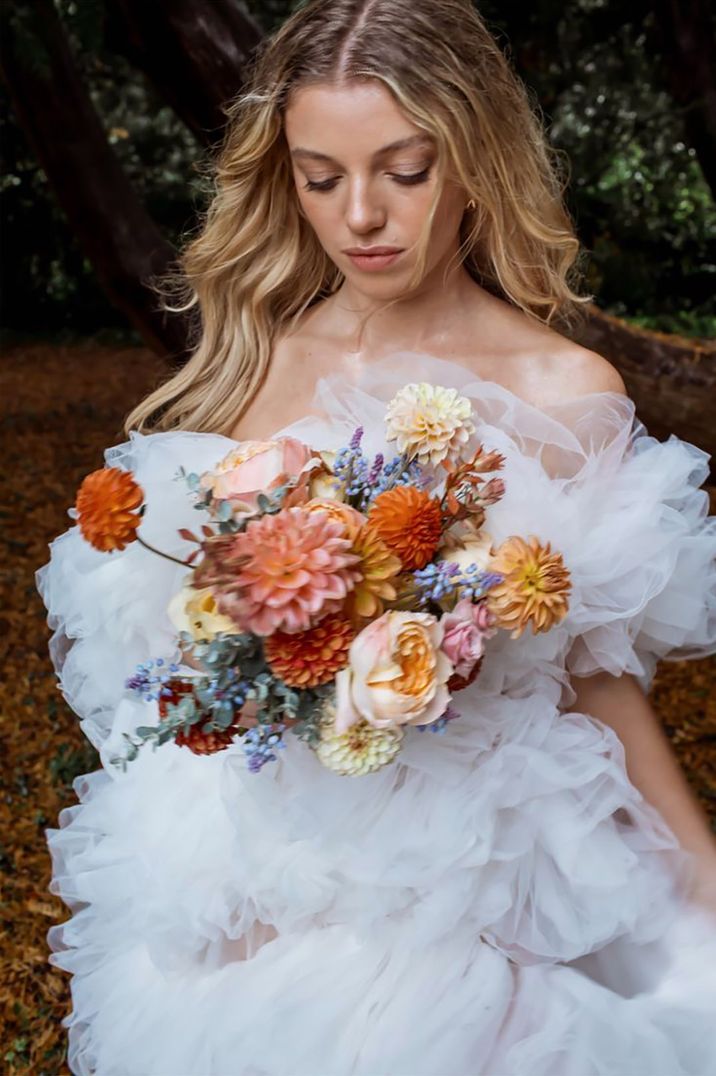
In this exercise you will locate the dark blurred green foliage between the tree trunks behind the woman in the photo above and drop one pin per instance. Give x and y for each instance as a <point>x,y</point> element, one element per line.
<point>643,209</point>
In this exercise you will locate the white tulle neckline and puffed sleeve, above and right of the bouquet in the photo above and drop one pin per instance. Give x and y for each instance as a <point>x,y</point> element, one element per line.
<point>628,514</point>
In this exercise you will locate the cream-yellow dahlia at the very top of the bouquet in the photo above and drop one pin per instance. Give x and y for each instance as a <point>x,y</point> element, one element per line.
<point>430,423</point>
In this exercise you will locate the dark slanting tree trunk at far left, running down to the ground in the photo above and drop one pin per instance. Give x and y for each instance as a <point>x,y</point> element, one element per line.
<point>61,123</point>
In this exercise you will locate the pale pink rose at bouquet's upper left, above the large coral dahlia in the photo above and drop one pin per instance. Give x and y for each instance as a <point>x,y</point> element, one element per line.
<point>252,468</point>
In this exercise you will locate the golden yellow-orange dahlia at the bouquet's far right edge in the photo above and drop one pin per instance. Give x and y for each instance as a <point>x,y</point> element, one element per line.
<point>535,590</point>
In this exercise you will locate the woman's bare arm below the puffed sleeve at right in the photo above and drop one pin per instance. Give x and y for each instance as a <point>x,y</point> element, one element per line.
<point>653,768</point>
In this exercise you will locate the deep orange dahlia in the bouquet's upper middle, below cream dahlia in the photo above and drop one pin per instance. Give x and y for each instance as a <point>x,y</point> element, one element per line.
<point>411,523</point>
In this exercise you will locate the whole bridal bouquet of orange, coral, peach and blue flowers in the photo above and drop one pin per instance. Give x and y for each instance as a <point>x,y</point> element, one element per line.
<point>340,597</point>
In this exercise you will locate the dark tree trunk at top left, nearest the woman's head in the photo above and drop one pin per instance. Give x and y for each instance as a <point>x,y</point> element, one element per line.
<point>195,54</point>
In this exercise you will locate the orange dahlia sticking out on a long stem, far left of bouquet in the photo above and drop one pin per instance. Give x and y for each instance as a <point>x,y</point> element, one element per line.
<point>107,506</point>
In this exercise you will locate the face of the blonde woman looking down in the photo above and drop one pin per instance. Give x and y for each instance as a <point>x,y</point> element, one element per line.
<point>366,177</point>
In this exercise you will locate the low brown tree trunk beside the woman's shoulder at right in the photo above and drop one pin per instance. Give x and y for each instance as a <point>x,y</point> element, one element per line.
<point>671,379</point>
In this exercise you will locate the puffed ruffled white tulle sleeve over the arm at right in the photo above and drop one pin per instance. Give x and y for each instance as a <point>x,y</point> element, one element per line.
<point>643,556</point>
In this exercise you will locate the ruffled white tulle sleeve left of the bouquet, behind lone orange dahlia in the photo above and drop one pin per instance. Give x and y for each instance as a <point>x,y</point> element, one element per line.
<point>108,612</point>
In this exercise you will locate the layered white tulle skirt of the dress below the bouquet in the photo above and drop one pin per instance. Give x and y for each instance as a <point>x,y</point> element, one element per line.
<point>430,918</point>
